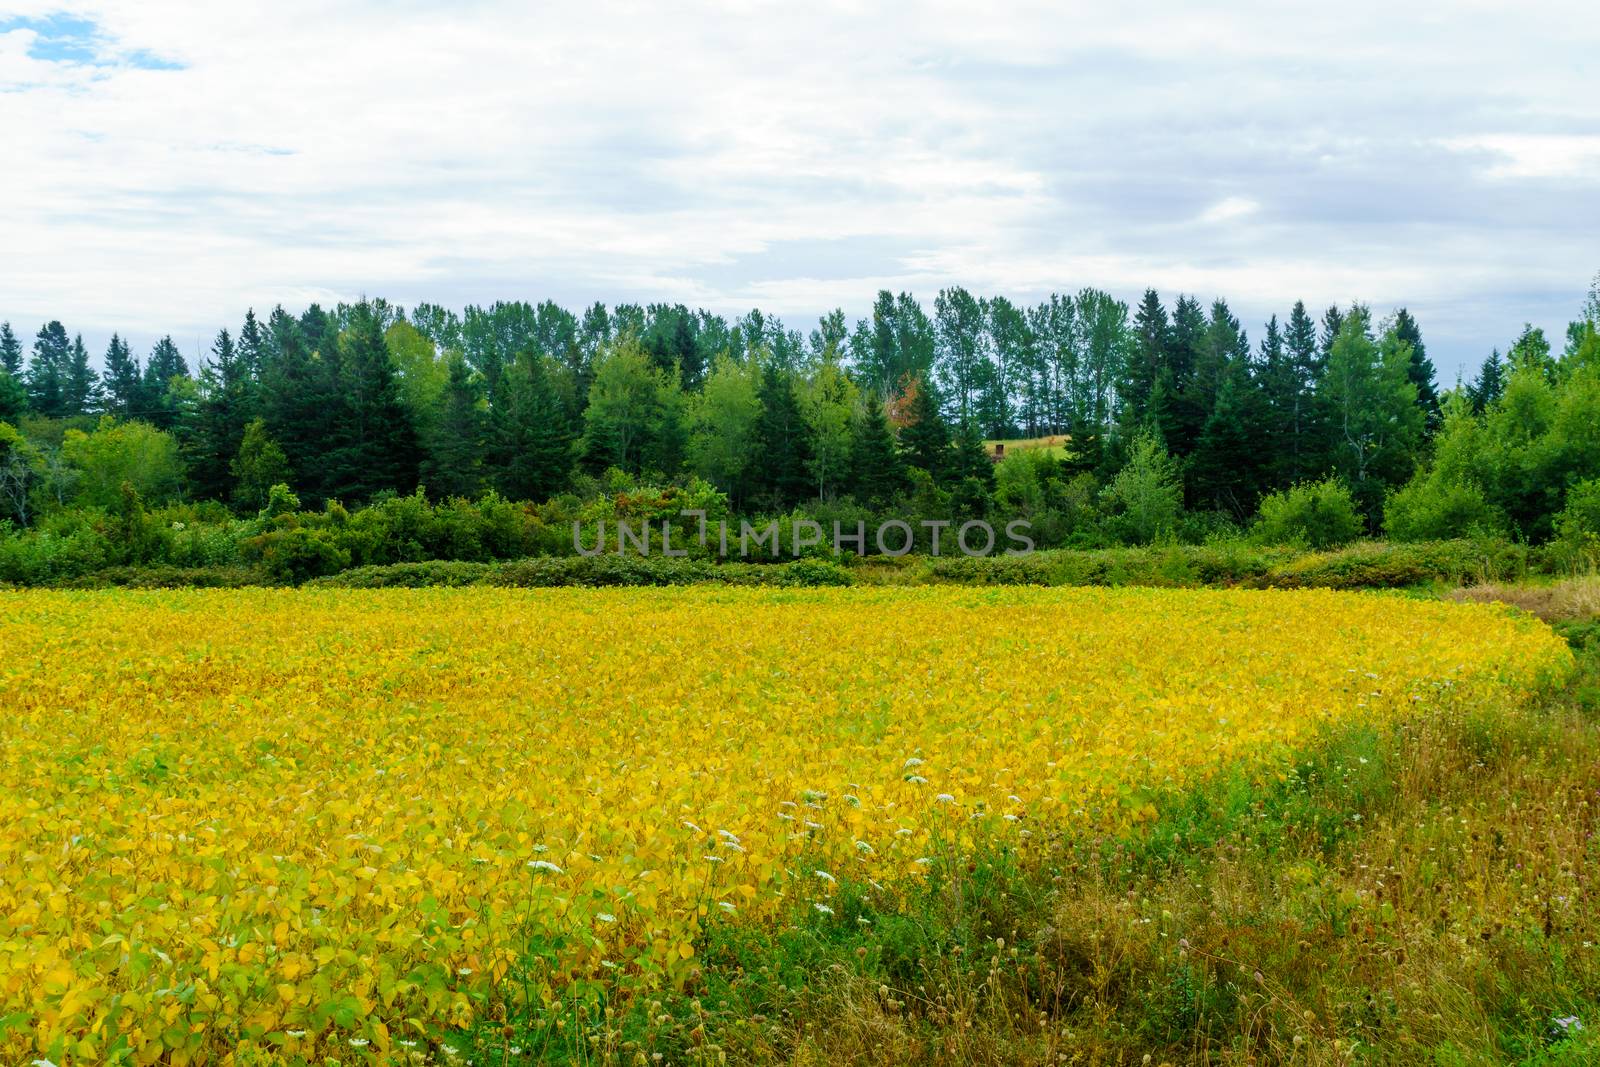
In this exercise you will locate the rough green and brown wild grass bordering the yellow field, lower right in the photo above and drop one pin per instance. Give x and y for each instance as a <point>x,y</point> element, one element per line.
<point>1423,897</point>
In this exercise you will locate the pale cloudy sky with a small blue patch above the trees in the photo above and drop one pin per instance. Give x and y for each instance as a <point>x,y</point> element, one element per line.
<point>169,166</point>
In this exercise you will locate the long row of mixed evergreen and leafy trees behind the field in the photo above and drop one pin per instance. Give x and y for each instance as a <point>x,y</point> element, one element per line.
<point>370,401</point>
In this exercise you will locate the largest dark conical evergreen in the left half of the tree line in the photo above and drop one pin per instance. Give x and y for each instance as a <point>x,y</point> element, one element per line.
<point>374,446</point>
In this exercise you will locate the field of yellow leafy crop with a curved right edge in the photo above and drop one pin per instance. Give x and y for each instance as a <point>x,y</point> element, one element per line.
<point>329,823</point>
